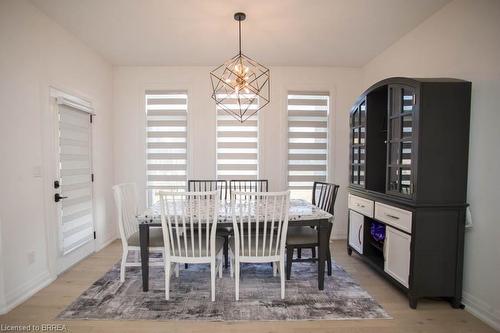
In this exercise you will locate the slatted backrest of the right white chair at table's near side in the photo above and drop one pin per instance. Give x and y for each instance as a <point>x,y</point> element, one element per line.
<point>260,222</point>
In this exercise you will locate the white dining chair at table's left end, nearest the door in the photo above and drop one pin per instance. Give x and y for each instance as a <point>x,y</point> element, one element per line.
<point>126,203</point>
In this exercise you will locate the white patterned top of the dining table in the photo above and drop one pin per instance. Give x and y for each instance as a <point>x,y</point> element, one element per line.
<point>300,210</point>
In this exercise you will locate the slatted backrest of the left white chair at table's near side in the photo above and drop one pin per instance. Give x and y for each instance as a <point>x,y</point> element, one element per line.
<point>185,218</point>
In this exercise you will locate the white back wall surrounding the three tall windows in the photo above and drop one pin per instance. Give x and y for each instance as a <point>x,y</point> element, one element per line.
<point>129,122</point>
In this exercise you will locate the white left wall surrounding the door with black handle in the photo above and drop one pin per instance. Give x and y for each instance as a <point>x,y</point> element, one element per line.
<point>35,54</point>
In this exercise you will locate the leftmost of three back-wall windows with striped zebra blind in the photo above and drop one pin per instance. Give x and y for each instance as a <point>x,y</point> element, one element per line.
<point>166,132</point>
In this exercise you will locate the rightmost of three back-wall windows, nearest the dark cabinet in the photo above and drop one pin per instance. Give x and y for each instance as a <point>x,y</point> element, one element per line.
<point>307,141</point>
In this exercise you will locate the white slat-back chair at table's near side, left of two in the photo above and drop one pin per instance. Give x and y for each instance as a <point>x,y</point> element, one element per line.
<point>189,224</point>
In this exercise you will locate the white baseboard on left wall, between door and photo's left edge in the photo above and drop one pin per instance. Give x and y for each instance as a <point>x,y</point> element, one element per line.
<point>26,290</point>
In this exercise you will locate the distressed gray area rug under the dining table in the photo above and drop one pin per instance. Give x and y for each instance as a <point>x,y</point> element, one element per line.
<point>260,299</point>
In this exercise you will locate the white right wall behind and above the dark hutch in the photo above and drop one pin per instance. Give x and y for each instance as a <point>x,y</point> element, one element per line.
<point>462,41</point>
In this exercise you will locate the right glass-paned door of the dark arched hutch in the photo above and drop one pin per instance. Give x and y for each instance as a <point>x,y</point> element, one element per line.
<point>402,104</point>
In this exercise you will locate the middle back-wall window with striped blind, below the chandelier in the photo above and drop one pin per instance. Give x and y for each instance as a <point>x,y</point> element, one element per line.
<point>237,146</point>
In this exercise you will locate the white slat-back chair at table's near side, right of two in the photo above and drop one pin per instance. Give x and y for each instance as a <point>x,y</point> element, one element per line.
<point>260,223</point>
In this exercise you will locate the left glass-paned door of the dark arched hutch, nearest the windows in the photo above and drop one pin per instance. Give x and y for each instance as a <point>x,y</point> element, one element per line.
<point>358,144</point>
